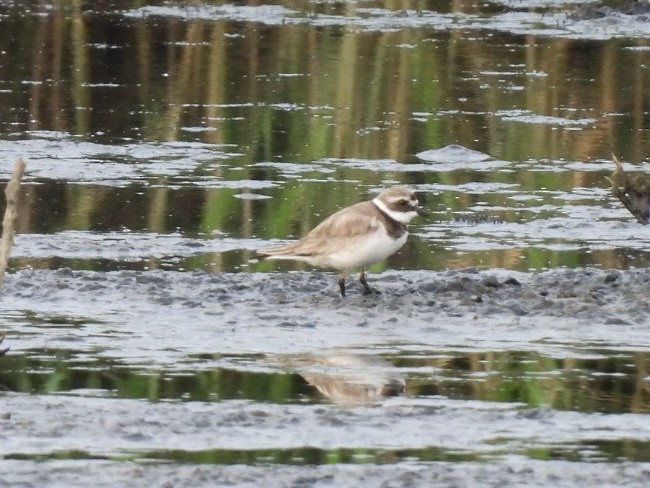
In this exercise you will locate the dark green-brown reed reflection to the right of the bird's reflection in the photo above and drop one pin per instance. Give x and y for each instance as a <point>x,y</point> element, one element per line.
<point>610,384</point>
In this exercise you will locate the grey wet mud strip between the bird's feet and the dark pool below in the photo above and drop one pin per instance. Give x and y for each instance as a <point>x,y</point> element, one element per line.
<point>159,317</point>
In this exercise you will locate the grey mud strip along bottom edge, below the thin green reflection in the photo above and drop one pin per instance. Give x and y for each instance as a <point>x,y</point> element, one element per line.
<point>514,471</point>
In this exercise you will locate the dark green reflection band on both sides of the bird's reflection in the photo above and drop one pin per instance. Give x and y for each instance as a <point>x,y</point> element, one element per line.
<point>610,381</point>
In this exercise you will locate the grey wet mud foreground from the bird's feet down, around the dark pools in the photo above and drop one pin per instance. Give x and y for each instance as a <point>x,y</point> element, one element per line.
<point>296,323</point>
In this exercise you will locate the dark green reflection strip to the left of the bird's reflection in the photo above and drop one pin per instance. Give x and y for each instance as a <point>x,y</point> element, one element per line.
<point>46,371</point>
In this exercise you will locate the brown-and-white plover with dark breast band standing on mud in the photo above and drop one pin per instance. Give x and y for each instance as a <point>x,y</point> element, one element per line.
<point>356,236</point>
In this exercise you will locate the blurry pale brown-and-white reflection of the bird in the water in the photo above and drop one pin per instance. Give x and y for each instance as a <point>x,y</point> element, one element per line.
<point>352,378</point>
